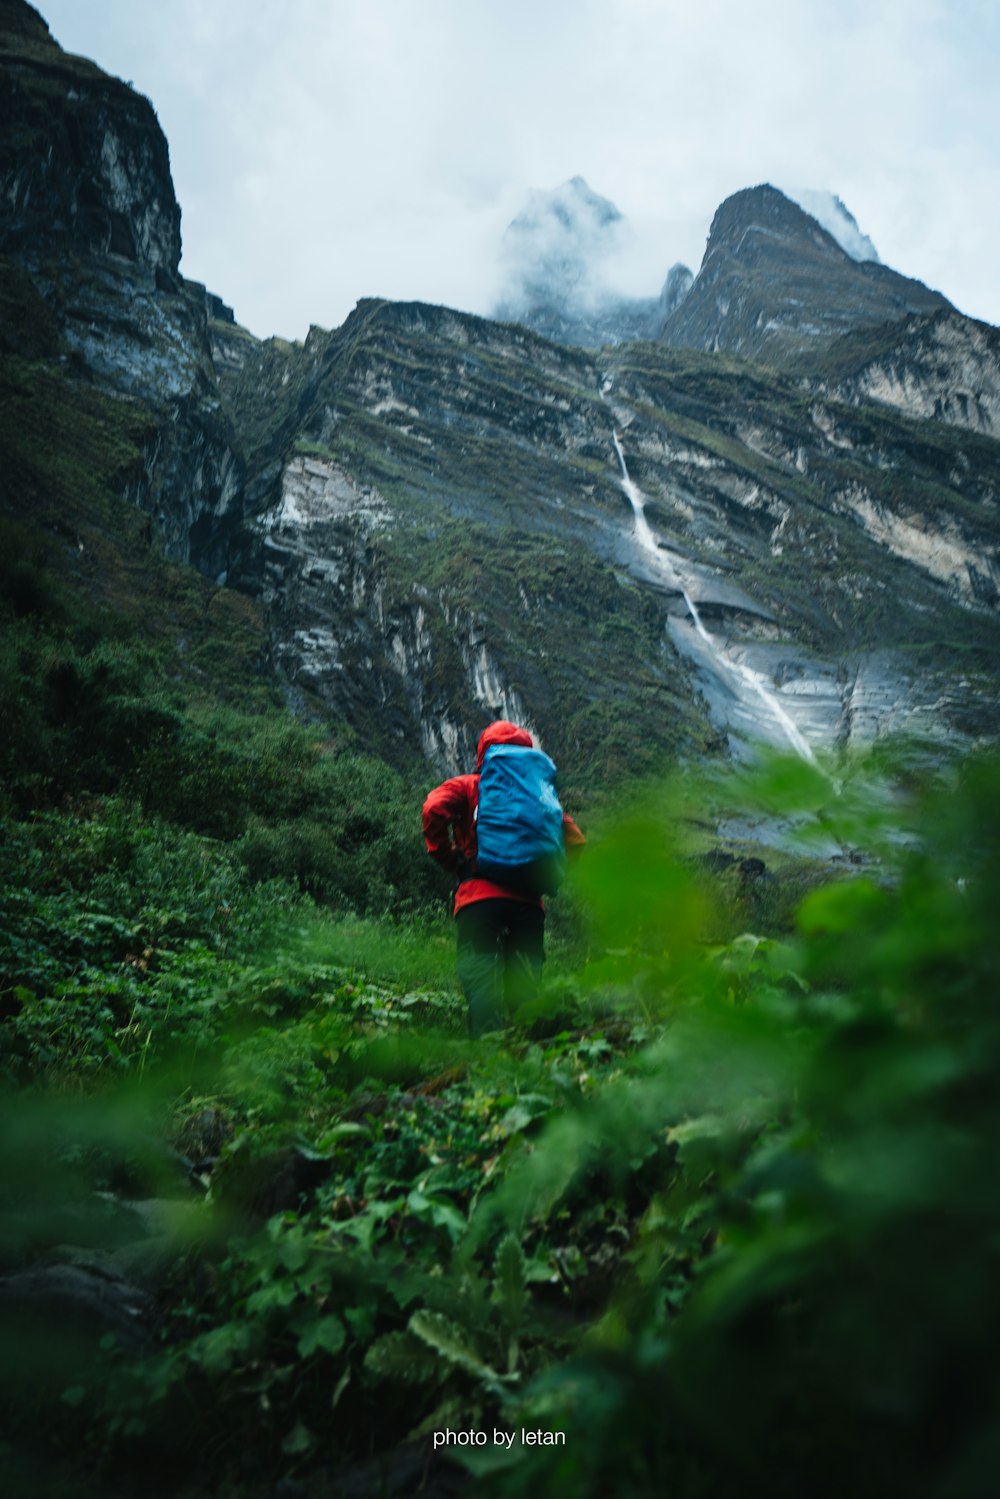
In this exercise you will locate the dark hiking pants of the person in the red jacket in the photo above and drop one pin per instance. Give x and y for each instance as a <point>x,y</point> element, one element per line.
<point>500,956</point>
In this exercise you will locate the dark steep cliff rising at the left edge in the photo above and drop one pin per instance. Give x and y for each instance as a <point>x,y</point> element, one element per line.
<point>91,215</point>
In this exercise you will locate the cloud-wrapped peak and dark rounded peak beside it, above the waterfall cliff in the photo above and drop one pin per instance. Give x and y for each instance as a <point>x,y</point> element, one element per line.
<point>788,281</point>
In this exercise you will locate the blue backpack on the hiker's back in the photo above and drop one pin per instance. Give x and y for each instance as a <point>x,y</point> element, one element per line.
<point>519,821</point>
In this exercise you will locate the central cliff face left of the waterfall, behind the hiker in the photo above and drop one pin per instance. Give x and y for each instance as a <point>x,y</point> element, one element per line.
<point>436,525</point>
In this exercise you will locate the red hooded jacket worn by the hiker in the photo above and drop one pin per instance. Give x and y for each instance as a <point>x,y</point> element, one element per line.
<point>451,822</point>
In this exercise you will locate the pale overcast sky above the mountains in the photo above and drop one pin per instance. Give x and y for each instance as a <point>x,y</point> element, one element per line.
<point>326,151</point>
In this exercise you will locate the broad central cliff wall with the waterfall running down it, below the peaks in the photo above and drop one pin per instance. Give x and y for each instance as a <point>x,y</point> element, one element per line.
<point>446,533</point>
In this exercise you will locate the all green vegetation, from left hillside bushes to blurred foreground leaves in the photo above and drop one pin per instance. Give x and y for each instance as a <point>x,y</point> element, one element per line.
<point>720,1210</point>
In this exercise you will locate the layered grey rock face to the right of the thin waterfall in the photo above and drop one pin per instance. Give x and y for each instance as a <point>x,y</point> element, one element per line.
<point>867,545</point>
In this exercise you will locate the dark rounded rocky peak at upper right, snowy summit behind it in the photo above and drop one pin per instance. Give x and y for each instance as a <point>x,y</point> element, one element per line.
<point>800,289</point>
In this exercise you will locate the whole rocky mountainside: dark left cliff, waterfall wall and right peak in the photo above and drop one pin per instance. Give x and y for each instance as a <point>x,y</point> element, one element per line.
<point>650,552</point>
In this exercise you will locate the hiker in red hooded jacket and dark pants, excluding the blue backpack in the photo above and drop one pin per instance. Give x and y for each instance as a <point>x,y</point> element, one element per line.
<point>500,933</point>
